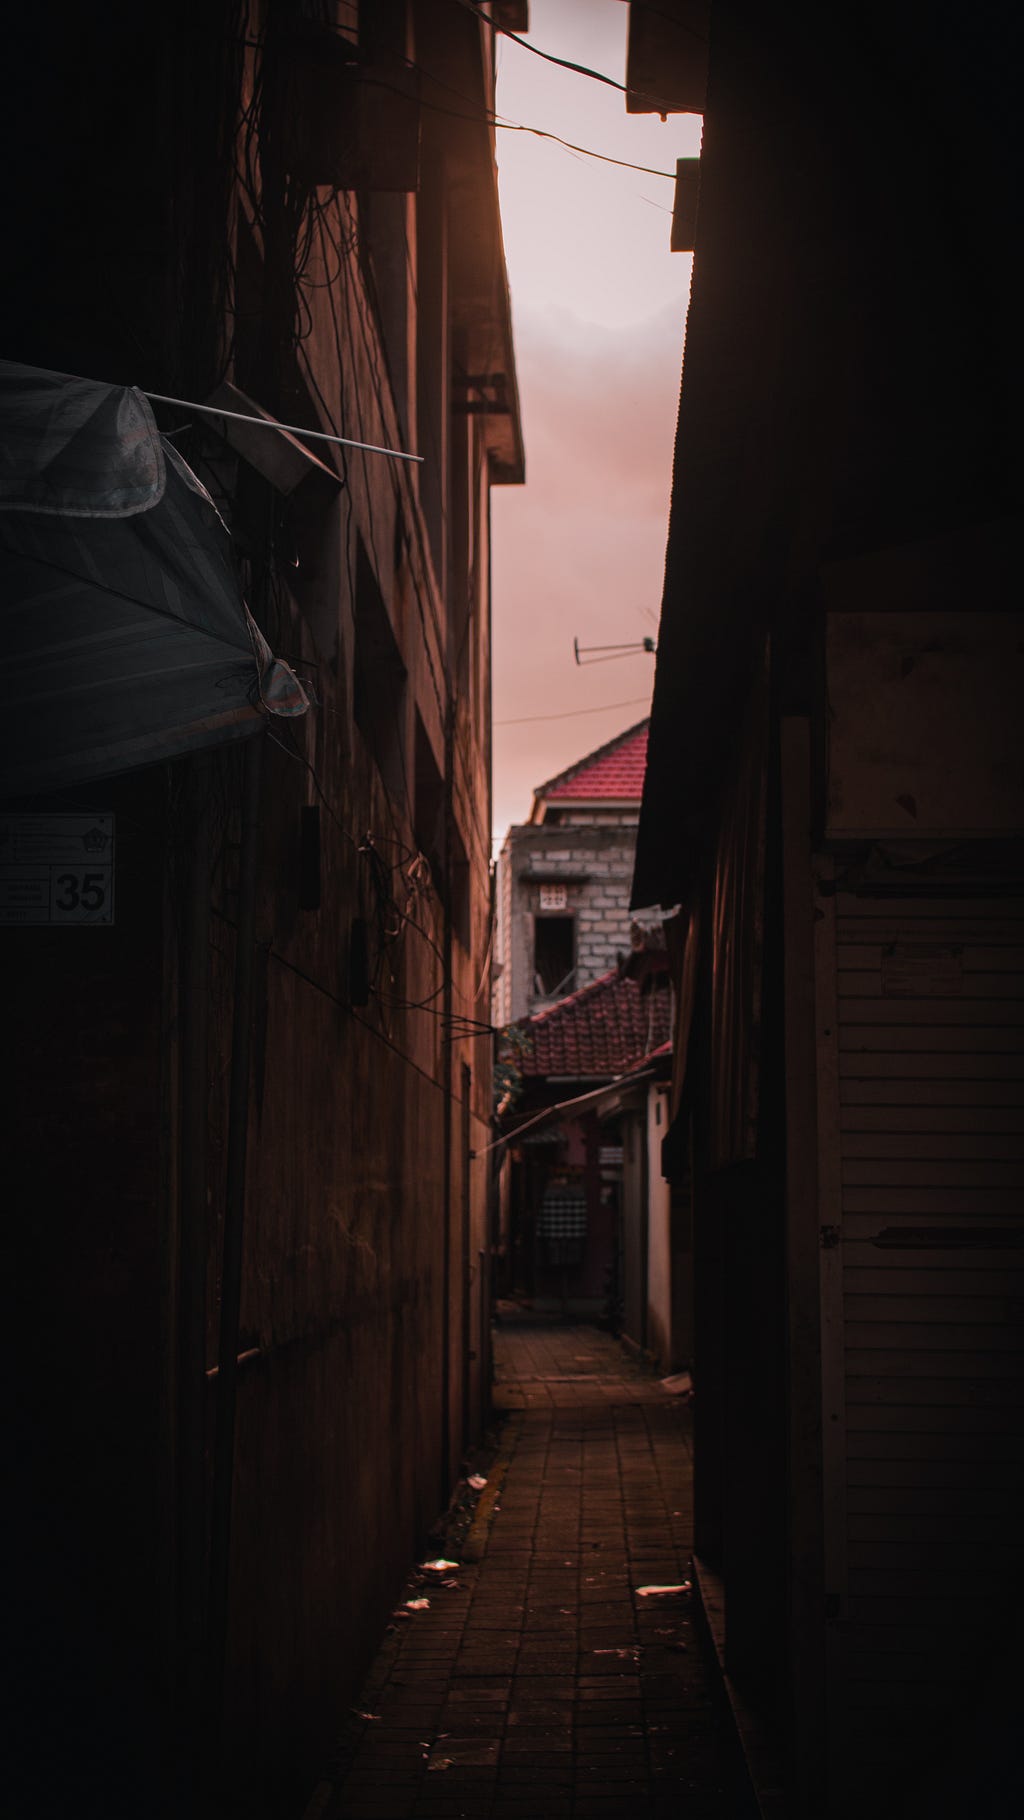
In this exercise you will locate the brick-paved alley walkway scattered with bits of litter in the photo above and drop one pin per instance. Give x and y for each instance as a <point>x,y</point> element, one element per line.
<point>541,1683</point>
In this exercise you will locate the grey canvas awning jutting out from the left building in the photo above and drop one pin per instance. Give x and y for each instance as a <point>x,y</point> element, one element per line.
<point>125,634</point>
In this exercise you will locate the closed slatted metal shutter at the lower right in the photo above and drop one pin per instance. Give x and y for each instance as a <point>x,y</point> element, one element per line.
<point>927,1350</point>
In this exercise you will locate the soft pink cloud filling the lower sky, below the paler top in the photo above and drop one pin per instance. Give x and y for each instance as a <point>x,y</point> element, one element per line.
<point>579,551</point>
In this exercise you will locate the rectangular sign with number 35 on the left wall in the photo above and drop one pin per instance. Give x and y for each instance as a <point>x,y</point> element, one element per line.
<point>57,869</point>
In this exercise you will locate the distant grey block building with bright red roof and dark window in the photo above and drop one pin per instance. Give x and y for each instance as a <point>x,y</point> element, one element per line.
<point>565,878</point>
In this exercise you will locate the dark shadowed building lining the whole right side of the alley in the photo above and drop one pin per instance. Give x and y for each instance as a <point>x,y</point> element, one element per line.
<point>836,800</point>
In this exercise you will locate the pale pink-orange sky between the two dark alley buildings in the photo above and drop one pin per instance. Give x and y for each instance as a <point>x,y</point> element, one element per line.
<point>599,310</point>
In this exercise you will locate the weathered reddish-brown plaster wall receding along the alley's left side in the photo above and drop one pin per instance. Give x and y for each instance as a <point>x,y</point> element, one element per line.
<point>363,1249</point>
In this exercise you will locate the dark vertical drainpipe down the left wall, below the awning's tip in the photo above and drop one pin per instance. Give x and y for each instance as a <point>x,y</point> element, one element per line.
<point>232,1259</point>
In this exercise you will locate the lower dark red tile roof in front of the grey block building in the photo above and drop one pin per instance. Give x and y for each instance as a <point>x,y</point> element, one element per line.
<point>603,1029</point>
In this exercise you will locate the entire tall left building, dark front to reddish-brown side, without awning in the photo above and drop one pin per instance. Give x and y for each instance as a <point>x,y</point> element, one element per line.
<point>252,1273</point>
